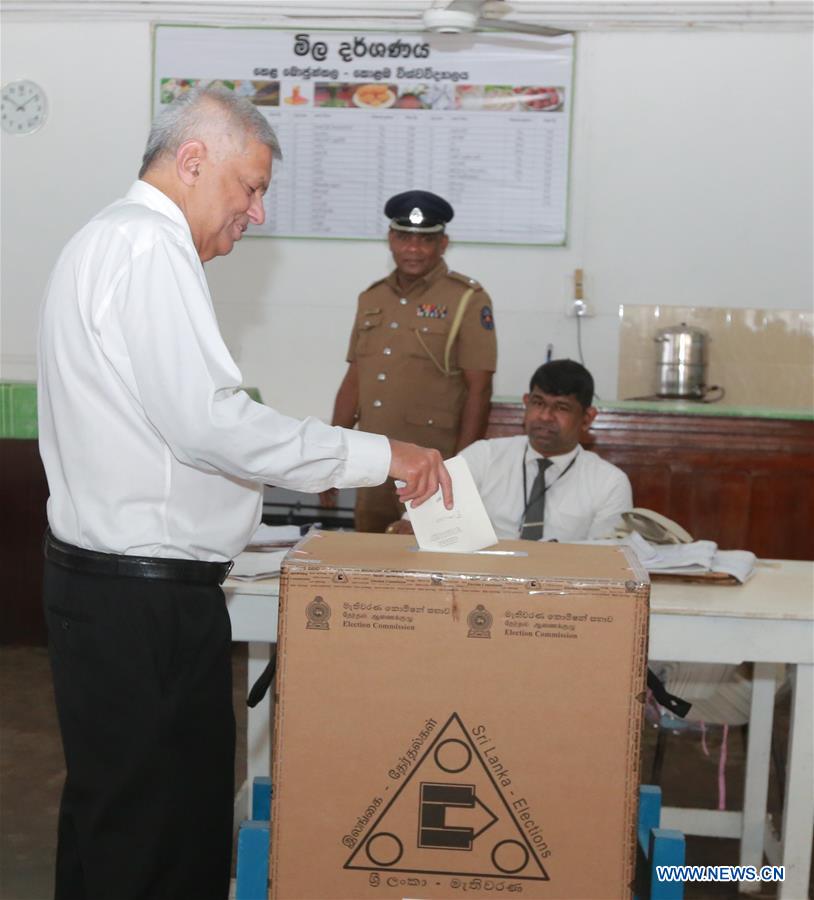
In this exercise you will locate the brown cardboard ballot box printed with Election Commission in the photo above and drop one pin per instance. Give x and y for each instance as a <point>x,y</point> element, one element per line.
<point>453,724</point>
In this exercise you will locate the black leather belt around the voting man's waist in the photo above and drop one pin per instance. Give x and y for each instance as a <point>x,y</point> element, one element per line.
<point>89,562</point>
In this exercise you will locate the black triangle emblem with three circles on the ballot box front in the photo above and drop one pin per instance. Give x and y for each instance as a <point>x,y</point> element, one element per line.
<point>451,801</point>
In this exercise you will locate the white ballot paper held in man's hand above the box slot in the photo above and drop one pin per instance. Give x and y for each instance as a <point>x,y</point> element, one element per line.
<point>463,529</point>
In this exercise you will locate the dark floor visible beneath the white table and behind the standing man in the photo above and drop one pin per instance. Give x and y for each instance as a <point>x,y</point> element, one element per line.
<point>31,772</point>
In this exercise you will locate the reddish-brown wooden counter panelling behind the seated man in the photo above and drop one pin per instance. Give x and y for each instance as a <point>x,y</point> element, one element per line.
<point>745,483</point>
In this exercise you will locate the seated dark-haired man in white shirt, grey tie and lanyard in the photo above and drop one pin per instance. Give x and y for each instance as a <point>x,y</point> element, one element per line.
<point>542,485</point>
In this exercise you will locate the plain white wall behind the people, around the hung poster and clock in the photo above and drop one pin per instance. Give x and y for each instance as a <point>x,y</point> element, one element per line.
<point>691,183</point>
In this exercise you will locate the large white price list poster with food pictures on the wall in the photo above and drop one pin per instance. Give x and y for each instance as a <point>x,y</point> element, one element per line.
<point>485,125</point>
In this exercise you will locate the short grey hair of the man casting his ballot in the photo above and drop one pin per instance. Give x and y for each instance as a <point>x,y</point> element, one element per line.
<point>186,119</point>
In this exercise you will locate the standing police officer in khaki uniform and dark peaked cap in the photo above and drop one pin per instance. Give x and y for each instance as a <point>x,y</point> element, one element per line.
<point>422,351</point>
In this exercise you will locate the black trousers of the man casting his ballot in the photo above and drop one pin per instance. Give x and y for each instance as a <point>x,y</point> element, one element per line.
<point>142,678</point>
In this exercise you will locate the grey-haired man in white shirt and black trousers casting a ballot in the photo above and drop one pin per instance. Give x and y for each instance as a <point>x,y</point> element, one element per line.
<point>155,462</point>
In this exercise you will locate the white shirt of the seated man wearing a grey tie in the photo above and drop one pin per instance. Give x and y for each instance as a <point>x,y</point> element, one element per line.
<point>582,502</point>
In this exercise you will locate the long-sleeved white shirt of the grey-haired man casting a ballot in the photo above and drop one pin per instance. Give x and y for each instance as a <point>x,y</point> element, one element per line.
<point>149,446</point>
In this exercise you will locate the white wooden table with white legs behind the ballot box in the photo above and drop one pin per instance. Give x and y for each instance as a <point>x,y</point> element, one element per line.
<point>768,620</point>
